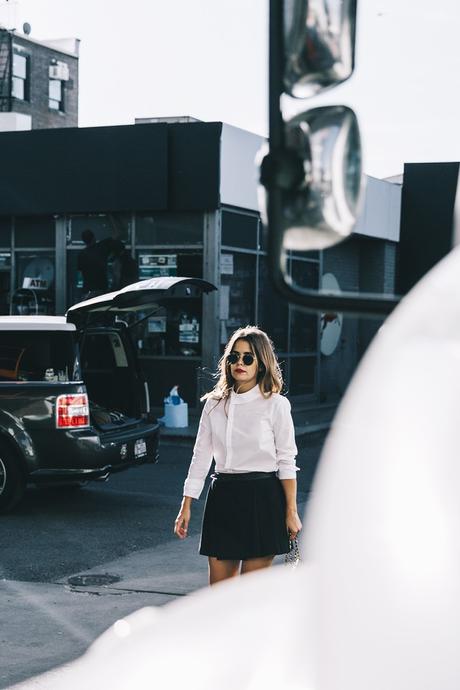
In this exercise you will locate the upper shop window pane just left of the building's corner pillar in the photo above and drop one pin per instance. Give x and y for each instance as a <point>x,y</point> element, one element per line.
<point>169,229</point>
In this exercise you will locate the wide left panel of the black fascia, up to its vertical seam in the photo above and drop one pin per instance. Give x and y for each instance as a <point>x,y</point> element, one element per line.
<point>83,170</point>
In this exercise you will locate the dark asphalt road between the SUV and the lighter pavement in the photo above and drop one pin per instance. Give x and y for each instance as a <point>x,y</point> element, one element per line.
<point>55,532</point>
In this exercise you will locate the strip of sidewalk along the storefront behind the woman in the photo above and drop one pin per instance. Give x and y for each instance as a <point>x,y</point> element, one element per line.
<point>309,418</point>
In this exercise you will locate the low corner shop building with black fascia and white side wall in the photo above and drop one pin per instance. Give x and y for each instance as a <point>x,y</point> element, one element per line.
<point>183,197</point>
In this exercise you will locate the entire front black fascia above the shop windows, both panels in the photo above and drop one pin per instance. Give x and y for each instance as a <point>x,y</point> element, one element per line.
<point>95,169</point>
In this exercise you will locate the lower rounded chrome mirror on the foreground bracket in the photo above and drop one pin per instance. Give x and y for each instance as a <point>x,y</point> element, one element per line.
<point>318,178</point>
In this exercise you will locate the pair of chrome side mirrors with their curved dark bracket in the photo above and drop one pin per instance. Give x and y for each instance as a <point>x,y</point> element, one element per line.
<point>311,177</point>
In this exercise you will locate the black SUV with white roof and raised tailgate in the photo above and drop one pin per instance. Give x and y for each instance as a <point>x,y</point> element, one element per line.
<point>74,405</point>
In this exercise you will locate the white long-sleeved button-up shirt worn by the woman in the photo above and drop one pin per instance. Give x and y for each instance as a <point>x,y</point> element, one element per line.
<point>245,433</point>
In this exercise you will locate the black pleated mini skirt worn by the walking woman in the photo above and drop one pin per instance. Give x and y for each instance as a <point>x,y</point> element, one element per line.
<point>244,517</point>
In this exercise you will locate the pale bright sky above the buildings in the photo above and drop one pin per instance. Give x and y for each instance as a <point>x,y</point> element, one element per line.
<point>208,59</point>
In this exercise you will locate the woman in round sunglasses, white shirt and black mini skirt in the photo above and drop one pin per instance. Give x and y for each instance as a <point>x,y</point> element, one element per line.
<point>246,426</point>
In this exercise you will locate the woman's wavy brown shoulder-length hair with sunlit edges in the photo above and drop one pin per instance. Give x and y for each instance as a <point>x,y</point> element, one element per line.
<point>269,377</point>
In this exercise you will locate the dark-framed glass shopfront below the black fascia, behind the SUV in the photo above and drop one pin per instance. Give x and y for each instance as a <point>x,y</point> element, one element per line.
<point>170,343</point>
